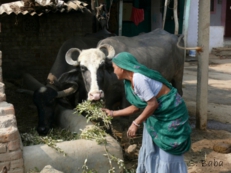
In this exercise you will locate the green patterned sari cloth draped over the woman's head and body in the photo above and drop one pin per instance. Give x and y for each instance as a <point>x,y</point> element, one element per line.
<point>168,126</point>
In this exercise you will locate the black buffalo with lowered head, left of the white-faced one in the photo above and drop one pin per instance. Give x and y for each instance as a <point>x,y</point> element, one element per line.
<point>64,86</point>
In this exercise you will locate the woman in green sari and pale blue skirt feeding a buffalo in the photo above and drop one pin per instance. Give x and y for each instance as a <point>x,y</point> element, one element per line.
<point>166,132</point>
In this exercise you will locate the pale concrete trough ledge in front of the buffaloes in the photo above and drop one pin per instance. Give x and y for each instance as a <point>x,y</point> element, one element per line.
<point>77,151</point>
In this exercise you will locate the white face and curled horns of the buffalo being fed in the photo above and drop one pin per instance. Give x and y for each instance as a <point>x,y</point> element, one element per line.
<point>92,59</point>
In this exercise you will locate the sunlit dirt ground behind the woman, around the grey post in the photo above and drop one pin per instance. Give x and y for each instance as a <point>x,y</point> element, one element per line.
<point>201,158</point>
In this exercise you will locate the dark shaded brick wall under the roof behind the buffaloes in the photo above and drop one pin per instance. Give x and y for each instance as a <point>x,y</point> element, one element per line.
<point>30,43</point>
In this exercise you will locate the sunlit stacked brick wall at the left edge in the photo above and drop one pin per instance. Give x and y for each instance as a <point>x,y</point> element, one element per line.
<point>11,154</point>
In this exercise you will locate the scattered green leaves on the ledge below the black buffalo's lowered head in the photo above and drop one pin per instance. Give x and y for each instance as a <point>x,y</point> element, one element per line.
<point>55,136</point>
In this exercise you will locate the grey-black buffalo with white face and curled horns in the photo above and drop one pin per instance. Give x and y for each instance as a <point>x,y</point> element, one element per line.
<point>157,50</point>
